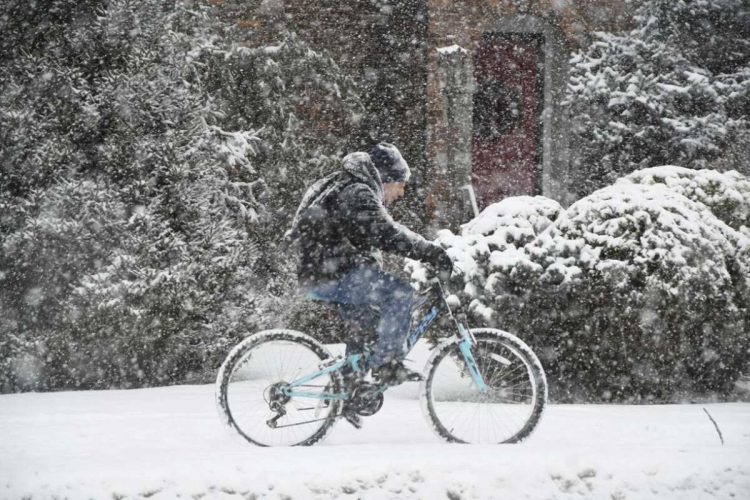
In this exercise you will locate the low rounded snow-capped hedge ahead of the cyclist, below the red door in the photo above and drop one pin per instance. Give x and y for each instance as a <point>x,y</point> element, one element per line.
<point>634,292</point>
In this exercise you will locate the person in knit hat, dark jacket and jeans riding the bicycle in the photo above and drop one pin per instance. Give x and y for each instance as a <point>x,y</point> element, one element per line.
<point>342,225</point>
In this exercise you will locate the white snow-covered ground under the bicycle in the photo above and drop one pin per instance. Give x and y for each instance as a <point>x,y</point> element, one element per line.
<point>168,443</point>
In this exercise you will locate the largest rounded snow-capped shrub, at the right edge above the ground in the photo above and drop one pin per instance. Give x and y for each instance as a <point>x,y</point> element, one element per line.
<point>646,283</point>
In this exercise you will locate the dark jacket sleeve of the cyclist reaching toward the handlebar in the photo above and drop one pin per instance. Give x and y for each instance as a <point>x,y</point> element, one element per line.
<point>369,225</point>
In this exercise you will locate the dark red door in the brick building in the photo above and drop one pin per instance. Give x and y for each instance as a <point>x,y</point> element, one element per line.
<point>506,142</point>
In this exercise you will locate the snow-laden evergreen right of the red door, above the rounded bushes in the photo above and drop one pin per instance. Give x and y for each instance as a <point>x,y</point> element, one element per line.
<point>674,90</point>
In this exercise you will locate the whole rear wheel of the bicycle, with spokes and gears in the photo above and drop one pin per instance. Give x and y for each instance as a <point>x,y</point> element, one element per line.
<point>249,390</point>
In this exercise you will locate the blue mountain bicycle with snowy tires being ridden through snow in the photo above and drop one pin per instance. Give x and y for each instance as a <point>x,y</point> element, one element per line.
<point>282,387</point>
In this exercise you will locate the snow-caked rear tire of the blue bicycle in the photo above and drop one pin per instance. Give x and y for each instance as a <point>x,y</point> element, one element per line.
<point>239,356</point>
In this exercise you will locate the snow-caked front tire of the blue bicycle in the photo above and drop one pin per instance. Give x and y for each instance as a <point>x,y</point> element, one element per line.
<point>534,371</point>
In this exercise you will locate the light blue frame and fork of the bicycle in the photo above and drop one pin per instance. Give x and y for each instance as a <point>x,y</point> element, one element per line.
<point>358,361</point>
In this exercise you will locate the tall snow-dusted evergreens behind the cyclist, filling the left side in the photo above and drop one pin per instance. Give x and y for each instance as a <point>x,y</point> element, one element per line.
<point>141,156</point>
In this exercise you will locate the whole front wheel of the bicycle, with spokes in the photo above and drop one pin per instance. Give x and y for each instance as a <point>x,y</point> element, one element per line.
<point>510,407</point>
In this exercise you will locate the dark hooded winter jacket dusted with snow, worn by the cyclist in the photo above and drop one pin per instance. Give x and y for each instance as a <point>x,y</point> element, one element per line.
<point>342,223</point>
